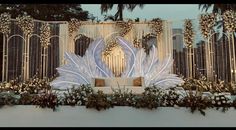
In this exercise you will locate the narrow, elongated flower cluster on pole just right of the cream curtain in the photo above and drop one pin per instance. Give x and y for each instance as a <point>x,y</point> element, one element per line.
<point>188,33</point>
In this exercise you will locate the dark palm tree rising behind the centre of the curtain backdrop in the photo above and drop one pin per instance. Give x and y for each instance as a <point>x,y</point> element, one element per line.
<point>120,8</point>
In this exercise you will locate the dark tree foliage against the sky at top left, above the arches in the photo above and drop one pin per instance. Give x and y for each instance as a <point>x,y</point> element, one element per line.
<point>47,12</point>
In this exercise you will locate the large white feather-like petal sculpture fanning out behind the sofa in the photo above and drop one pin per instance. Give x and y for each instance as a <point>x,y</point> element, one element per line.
<point>80,70</point>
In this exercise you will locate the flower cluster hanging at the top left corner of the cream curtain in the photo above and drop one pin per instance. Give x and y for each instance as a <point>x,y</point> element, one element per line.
<point>73,25</point>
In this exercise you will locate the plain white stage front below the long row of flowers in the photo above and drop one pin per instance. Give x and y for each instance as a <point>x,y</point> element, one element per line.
<point>67,116</point>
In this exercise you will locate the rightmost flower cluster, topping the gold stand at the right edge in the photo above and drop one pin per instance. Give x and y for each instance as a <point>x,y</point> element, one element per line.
<point>229,18</point>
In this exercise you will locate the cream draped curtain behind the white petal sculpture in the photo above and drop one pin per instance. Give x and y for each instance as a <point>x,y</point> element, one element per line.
<point>106,30</point>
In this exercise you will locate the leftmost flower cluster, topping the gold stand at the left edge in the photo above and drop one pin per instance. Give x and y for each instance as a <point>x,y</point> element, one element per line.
<point>5,23</point>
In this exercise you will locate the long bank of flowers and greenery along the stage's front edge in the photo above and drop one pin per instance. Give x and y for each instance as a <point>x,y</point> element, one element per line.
<point>38,92</point>
